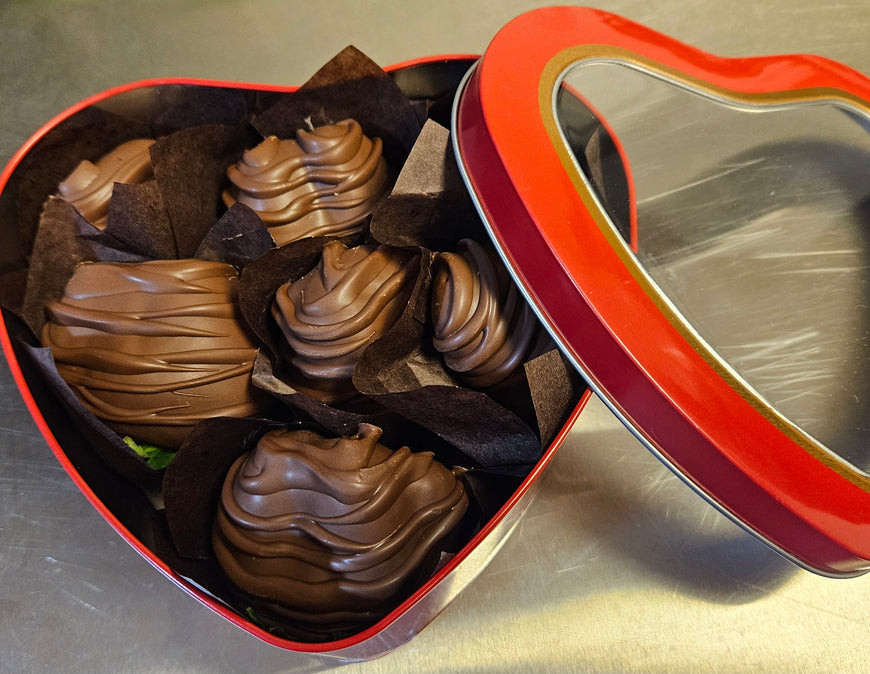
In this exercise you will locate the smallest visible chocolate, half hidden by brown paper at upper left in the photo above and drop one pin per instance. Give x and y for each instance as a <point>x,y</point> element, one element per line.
<point>89,186</point>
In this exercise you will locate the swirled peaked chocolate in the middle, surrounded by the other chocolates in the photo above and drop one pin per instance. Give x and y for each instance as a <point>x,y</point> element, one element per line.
<point>352,297</point>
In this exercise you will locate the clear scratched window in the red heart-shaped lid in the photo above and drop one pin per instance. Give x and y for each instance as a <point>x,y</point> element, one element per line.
<point>751,220</point>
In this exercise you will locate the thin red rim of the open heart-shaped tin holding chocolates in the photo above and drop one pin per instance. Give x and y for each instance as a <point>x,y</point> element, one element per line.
<point>354,647</point>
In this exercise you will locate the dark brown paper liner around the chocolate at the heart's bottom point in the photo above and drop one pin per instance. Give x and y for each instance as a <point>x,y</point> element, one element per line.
<point>191,489</point>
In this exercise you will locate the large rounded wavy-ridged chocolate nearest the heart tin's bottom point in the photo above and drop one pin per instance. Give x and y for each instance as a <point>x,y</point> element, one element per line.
<point>332,528</point>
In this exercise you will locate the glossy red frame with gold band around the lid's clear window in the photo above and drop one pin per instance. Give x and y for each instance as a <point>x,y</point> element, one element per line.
<point>753,465</point>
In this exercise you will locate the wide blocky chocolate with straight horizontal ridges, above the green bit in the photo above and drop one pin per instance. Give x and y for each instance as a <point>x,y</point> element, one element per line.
<point>152,348</point>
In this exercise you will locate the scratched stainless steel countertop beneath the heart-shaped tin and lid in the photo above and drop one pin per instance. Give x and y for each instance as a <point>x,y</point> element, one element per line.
<point>618,566</point>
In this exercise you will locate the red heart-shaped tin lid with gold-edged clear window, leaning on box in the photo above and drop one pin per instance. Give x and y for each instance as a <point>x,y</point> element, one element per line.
<point>689,228</point>
